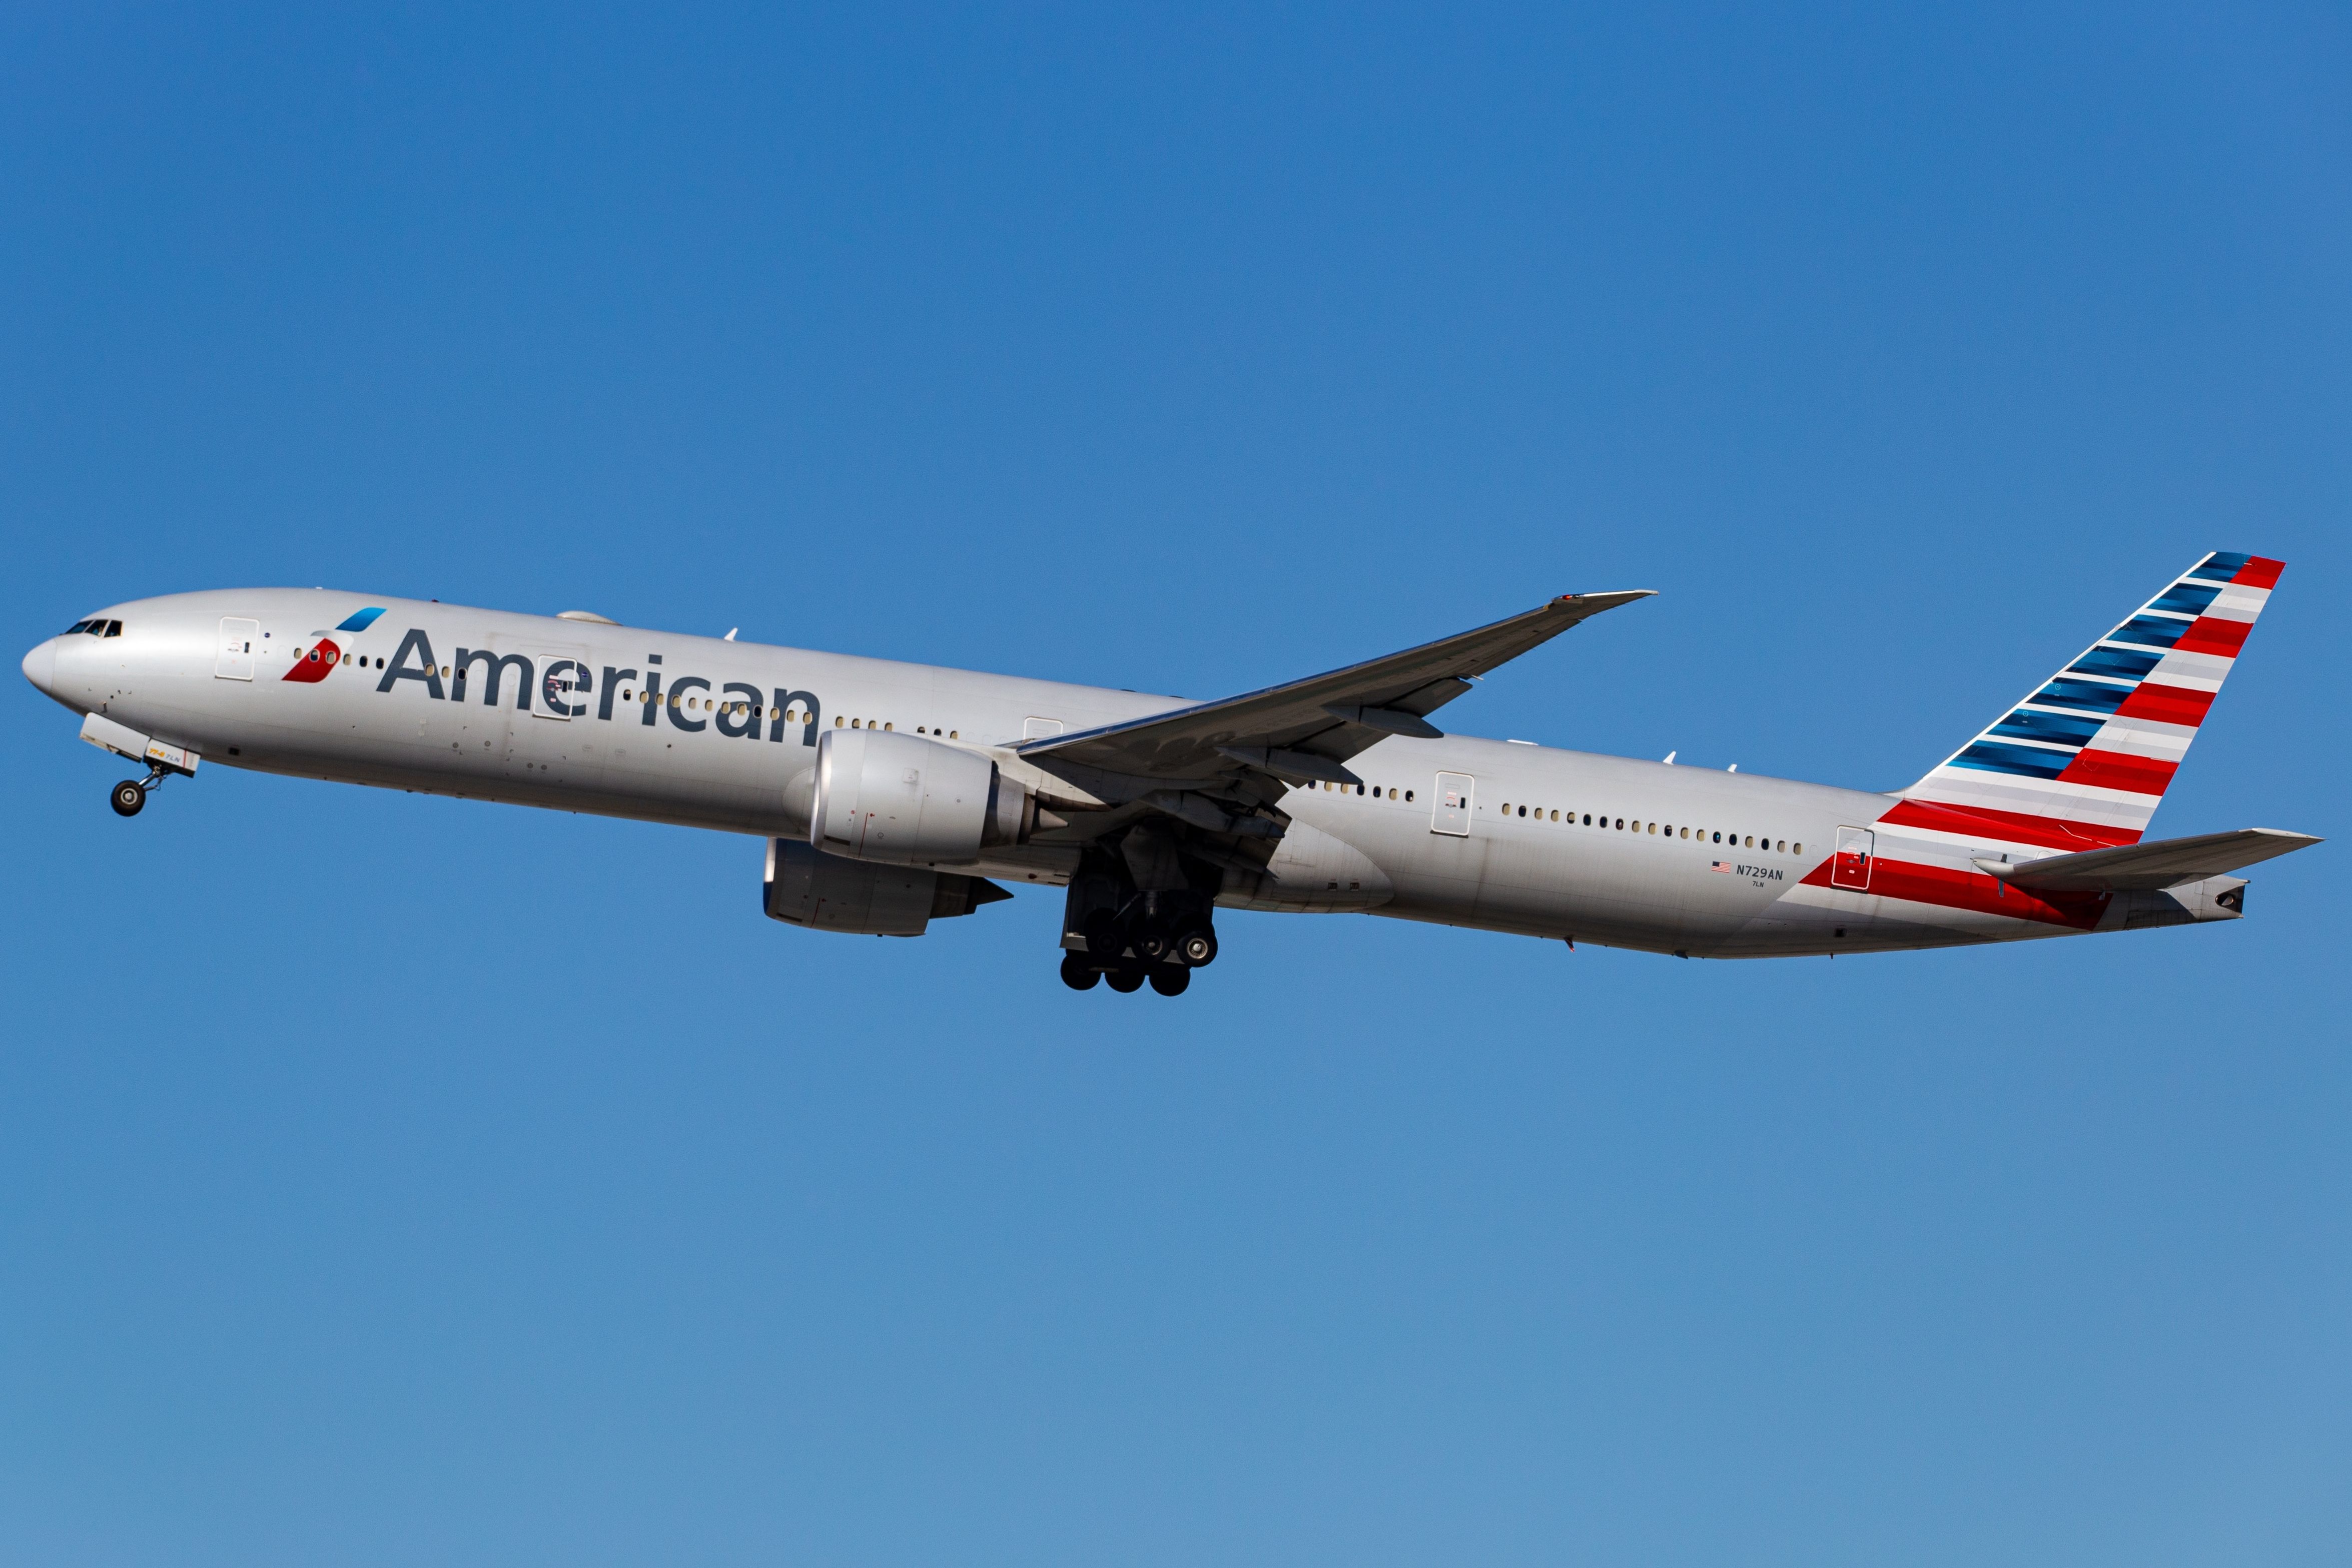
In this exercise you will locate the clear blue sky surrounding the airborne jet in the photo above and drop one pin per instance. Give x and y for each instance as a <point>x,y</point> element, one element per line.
<point>1899,354</point>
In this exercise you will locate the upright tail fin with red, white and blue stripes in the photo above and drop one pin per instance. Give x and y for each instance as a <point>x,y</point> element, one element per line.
<point>2085,760</point>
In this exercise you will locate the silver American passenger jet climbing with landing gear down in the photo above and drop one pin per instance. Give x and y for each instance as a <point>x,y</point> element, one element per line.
<point>893,796</point>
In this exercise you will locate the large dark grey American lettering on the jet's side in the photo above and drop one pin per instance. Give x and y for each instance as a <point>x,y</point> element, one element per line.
<point>570,690</point>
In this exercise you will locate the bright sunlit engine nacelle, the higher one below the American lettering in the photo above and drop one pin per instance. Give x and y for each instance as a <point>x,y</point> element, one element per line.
<point>907,800</point>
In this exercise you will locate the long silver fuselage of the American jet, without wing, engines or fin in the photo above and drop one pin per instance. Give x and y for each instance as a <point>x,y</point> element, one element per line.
<point>702,732</point>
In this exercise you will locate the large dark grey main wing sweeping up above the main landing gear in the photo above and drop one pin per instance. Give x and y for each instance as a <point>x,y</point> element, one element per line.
<point>1311,728</point>
